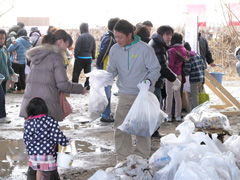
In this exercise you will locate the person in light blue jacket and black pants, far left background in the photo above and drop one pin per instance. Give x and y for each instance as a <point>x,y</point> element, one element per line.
<point>19,63</point>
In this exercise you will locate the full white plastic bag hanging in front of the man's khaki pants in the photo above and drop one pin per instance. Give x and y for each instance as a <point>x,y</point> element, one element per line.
<point>145,115</point>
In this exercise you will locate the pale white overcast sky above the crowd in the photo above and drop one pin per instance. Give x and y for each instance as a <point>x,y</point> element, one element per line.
<point>71,13</point>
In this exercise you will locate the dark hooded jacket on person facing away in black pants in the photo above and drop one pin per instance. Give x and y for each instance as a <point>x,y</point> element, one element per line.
<point>85,45</point>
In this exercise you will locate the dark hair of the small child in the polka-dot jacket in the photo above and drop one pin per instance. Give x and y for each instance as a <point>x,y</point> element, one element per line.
<point>36,106</point>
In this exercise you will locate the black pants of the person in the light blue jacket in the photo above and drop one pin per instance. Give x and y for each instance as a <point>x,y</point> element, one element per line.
<point>20,69</point>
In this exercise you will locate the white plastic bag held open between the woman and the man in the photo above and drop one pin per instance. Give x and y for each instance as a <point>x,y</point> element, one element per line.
<point>98,79</point>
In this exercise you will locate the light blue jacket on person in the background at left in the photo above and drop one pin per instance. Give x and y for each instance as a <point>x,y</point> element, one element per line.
<point>23,44</point>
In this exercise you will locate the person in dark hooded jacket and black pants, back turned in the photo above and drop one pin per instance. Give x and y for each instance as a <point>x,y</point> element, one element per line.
<point>84,53</point>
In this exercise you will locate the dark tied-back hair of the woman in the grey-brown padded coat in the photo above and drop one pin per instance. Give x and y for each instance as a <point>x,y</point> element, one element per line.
<point>51,38</point>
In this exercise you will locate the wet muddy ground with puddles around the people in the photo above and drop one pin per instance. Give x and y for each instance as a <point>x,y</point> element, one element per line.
<point>93,139</point>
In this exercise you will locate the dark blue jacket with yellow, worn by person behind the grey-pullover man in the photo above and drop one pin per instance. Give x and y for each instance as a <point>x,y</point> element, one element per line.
<point>107,41</point>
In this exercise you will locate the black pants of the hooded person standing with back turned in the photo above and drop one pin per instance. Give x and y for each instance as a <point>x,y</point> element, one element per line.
<point>80,64</point>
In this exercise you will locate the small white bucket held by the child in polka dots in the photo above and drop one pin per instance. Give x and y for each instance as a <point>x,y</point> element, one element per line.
<point>65,160</point>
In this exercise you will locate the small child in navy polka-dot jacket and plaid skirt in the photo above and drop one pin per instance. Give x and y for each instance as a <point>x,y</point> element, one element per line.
<point>41,136</point>
